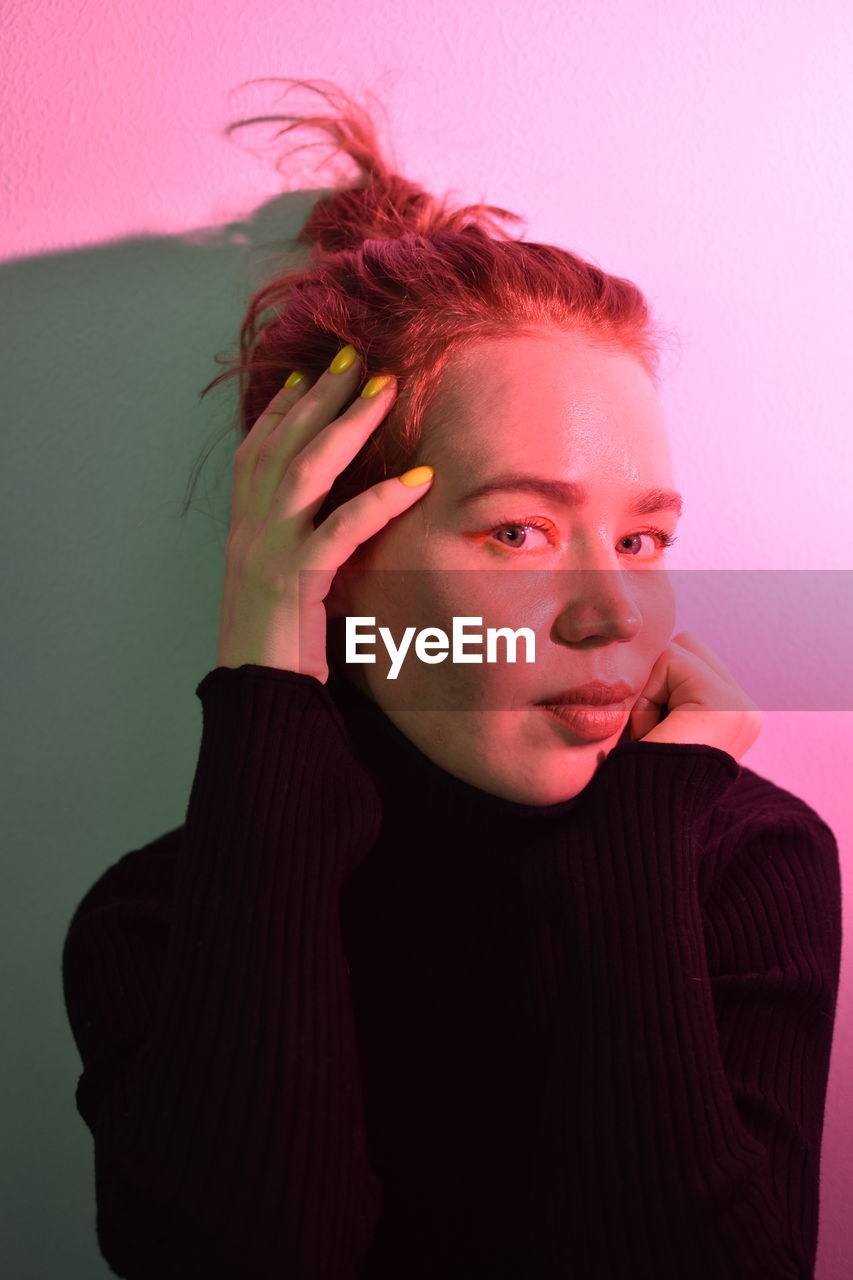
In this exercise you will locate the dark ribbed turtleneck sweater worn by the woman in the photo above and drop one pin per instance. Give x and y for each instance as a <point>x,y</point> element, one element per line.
<point>358,1018</point>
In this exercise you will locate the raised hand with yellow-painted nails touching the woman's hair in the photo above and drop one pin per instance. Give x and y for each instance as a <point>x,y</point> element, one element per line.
<point>272,615</point>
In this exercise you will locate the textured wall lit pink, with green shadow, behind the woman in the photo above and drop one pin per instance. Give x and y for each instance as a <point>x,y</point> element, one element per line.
<point>703,150</point>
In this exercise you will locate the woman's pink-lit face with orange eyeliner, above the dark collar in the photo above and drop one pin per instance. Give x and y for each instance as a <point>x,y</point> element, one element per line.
<point>586,577</point>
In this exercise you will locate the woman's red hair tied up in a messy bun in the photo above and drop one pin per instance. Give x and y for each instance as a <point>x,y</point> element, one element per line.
<point>412,282</point>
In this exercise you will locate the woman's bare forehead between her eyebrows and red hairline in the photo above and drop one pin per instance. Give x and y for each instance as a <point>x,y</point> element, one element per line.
<point>551,404</point>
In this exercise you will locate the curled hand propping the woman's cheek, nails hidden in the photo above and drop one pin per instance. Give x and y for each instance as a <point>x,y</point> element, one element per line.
<point>705,702</point>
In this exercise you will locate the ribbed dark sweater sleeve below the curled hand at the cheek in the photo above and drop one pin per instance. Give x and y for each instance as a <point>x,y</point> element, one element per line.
<point>704,1054</point>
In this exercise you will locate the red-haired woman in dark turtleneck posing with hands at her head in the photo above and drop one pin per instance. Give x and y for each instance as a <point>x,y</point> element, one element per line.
<point>443,977</point>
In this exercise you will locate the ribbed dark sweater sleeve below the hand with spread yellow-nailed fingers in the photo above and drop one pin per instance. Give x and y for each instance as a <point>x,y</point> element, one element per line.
<point>226,1105</point>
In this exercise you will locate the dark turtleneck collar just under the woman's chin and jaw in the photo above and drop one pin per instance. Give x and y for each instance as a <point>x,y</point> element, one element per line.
<point>408,779</point>
